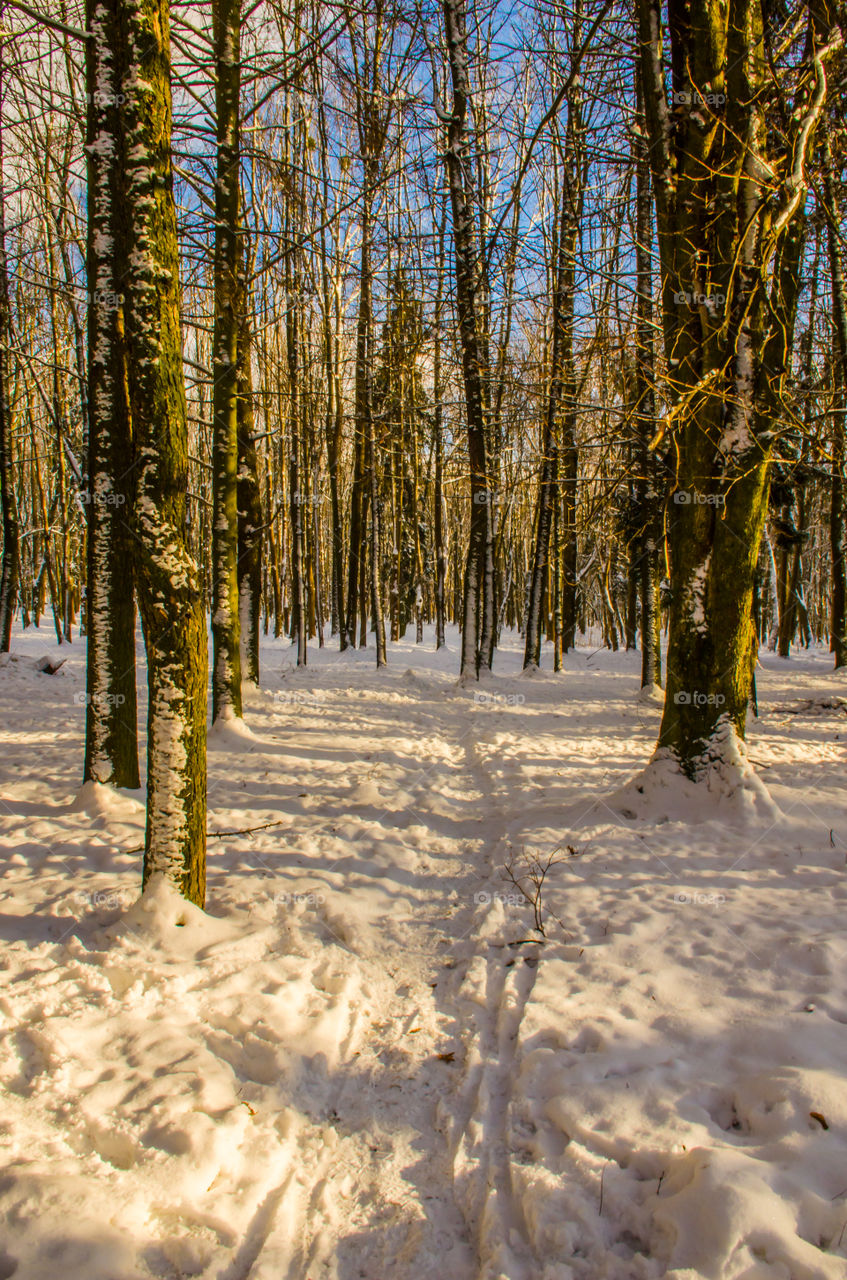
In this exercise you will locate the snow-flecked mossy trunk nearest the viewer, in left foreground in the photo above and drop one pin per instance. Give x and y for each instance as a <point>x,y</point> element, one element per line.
<point>168,579</point>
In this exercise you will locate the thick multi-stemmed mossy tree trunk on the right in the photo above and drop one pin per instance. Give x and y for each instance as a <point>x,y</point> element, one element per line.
<point>729,252</point>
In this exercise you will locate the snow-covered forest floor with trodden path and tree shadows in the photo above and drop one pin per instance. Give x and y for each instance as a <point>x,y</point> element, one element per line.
<point>363,1062</point>
